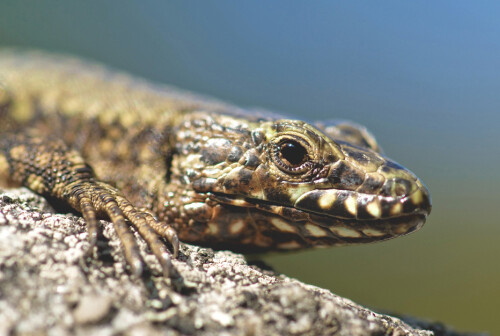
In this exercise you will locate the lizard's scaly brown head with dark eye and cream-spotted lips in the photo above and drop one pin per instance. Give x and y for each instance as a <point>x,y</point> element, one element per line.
<point>286,184</point>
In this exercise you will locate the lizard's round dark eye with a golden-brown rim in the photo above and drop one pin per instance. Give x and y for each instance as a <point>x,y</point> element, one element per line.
<point>291,156</point>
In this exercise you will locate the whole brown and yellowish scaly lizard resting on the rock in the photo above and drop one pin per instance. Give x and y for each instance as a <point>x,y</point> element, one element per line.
<point>176,166</point>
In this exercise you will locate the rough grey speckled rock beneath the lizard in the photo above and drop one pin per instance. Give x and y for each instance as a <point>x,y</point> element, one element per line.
<point>49,286</point>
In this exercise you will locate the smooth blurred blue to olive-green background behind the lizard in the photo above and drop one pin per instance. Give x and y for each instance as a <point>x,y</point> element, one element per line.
<point>423,76</point>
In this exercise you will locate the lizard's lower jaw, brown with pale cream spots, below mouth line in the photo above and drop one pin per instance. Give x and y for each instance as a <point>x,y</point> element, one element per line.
<point>293,228</point>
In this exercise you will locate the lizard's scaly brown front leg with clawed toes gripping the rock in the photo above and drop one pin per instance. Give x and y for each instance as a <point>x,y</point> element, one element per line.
<point>51,168</point>
